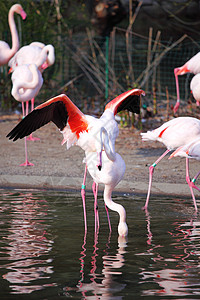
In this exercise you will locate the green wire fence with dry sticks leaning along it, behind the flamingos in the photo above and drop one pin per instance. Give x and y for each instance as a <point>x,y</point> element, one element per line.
<point>91,70</point>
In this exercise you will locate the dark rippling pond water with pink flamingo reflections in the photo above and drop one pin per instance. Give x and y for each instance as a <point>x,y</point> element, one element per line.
<point>44,253</point>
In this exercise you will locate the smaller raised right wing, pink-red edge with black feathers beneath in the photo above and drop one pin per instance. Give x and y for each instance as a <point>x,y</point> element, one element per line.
<point>129,100</point>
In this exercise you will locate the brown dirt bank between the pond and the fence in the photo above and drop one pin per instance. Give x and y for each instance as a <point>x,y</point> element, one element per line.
<point>55,167</point>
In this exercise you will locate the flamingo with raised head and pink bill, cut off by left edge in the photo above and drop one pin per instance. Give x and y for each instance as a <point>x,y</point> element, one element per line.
<point>5,52</point>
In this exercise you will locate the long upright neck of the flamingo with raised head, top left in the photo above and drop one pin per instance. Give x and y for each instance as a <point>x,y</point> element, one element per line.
<point>13,30</point>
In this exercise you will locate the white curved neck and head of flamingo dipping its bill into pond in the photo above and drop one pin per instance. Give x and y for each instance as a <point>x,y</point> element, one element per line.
<point>122,227</point>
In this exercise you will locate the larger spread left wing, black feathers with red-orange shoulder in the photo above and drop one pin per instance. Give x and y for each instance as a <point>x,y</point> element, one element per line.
<point>58,110</point>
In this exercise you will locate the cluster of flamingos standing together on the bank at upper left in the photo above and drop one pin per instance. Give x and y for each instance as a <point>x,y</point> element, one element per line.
<point>26,65</point>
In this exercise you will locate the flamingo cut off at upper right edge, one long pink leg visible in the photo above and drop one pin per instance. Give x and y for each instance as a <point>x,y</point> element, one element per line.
<point>191,66</point>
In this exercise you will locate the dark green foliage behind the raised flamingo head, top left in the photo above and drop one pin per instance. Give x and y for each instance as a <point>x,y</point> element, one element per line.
<point>45,19</point>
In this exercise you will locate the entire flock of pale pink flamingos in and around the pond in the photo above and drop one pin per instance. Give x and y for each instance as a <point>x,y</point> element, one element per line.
<point>96,136</point>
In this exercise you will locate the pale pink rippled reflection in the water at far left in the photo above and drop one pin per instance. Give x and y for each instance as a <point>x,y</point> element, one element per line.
<point>27,242</point>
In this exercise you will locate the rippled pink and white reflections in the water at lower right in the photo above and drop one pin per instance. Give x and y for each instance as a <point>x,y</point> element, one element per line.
<point>161,275</point>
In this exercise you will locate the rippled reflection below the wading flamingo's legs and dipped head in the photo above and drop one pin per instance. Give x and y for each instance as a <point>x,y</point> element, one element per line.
<point>102,285</point>
